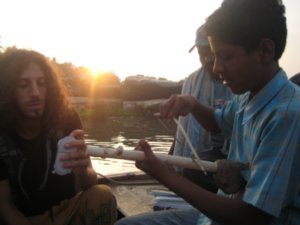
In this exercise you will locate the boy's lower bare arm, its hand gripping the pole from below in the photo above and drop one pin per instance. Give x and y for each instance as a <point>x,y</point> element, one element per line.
<point>219,208</point>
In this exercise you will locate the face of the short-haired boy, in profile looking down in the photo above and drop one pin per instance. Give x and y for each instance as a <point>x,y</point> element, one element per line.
<point>239,70</point>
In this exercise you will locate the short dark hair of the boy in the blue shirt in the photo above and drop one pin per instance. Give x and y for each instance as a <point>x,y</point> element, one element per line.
<point>247,22</point>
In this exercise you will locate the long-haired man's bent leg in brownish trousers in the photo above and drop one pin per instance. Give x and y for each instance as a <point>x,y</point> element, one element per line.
<point>96,205</point>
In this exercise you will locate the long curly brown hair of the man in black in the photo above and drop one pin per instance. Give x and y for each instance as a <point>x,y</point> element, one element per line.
<point>12,62</point>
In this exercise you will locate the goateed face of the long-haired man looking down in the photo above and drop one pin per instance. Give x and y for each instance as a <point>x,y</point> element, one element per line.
<point>31,92</point>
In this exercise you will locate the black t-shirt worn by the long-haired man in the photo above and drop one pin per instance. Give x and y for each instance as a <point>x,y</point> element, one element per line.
<point>37,188</point>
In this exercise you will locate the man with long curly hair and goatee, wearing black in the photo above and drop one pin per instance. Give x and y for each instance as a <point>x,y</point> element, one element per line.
<point>34,114</point>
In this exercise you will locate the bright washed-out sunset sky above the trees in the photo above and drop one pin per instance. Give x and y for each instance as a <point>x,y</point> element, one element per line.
<point>127,37</point>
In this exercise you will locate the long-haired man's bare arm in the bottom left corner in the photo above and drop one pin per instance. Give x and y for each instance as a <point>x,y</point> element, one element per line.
<point>9,214</point>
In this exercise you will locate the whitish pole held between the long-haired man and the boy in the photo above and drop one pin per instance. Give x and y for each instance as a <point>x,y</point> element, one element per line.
<point>120,153</point>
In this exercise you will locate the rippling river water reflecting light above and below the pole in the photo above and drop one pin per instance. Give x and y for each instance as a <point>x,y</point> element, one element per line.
<point>126,131</point>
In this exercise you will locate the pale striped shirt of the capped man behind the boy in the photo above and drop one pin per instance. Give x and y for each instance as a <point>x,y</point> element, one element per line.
<point>209,91</point>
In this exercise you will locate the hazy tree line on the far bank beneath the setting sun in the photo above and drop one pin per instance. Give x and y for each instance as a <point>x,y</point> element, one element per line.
<point>82,83</point>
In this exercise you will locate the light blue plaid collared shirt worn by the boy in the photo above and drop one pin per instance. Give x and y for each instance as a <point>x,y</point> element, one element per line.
<point>265,133</point>
